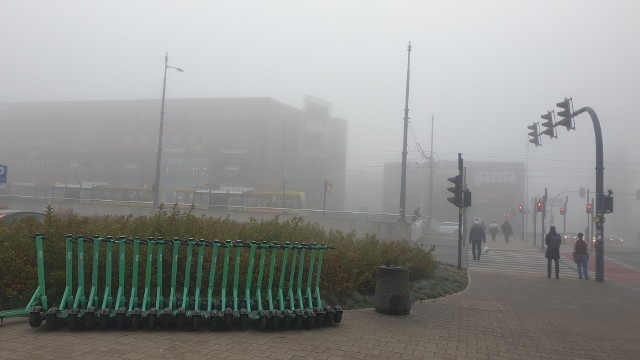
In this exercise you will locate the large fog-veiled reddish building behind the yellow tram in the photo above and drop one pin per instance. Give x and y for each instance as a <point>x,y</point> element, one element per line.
<point>215,143</point>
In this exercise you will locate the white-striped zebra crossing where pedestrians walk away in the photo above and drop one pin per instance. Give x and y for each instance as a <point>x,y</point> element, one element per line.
<point>530,262</point>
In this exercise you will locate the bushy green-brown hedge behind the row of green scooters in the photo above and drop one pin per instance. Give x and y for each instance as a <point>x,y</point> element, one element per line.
<point>350,267</point>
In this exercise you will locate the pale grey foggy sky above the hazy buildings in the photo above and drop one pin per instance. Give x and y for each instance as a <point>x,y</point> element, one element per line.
<point>484,69</point>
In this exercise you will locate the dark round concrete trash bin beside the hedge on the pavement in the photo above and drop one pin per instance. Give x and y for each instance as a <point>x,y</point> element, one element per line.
<point>392,290</point>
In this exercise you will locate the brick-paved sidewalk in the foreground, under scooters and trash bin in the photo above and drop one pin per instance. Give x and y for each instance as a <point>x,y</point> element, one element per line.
<point>500,316</point>
